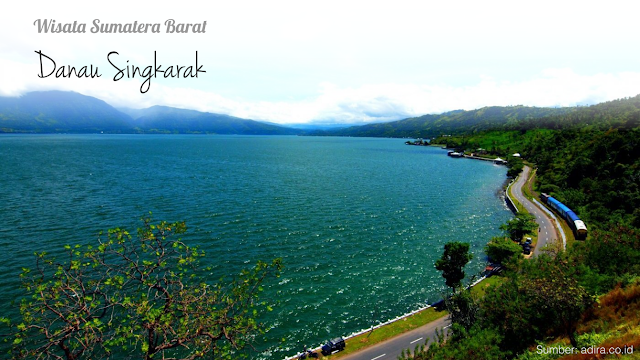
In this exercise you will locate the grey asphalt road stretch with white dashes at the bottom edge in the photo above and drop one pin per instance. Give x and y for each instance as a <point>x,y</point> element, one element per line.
<point>392,348</point>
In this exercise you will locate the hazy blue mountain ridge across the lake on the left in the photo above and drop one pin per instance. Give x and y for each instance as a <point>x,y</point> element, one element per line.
<point>71,112</point>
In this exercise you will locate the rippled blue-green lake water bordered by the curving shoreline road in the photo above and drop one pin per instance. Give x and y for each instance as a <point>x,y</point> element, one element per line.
<point>359,222</point>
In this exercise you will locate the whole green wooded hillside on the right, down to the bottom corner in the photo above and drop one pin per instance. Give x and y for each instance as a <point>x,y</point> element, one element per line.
<point>587,296</point>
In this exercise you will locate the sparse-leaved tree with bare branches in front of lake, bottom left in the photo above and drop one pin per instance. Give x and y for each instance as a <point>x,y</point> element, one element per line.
<point>136,297</point>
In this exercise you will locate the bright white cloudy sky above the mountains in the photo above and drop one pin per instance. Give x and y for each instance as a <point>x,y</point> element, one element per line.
<point>334,62</point>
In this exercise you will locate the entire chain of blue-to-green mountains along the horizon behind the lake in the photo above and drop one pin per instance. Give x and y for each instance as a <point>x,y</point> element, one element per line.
<point>71,112</point>
